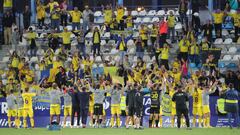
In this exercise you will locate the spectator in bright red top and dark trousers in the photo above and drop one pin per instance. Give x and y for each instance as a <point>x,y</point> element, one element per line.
<point>163,31</point>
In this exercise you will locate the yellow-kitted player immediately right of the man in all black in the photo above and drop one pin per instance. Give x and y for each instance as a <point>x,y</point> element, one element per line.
<point>197,104</point>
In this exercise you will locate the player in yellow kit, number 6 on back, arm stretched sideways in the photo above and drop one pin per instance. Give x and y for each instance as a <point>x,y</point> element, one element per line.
<point>28,107</point>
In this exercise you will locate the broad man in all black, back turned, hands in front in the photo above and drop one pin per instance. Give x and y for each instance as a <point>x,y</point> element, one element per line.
<point>181,98</point>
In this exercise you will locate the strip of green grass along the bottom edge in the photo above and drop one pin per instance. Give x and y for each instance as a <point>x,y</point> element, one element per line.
<point>90,131</point>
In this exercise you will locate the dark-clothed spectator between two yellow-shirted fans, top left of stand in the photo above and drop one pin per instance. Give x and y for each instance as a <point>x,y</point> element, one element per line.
<point>64,15</point>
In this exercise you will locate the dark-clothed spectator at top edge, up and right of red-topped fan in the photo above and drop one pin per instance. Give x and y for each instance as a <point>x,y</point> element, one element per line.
<point>183,7</point>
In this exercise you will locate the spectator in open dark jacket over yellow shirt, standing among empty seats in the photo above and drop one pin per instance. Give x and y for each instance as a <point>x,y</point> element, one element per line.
<point>96,42</point>
